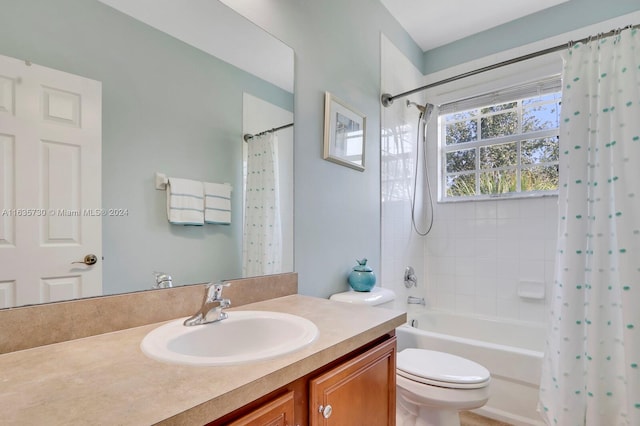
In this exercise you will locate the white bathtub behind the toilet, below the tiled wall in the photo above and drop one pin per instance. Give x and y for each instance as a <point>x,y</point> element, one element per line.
<point>512,351</point>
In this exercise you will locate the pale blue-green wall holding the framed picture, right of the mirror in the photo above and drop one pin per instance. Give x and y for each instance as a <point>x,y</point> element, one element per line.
<point>337,209</point>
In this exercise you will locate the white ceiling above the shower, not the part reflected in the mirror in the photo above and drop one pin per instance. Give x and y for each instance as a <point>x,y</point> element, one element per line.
<point>434,23</point>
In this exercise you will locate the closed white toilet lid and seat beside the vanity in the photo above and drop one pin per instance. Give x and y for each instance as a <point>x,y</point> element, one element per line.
<point>441,369</point>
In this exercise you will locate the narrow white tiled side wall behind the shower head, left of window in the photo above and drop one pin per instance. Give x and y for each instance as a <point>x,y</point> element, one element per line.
<point>401,247</point>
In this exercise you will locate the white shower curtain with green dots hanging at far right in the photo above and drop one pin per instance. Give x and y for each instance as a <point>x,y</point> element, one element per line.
<point>591,369</point>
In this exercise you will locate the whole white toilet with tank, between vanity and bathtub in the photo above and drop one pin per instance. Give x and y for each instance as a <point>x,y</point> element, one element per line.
<point>431,387</point>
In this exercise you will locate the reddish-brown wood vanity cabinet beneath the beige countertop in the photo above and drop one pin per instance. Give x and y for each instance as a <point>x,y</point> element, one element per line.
<point>356,390</point>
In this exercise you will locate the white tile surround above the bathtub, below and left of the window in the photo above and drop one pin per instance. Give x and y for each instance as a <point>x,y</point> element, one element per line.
<point>477,252</point>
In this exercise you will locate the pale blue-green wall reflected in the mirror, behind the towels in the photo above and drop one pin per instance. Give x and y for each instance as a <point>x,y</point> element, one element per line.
<point>167,107</point>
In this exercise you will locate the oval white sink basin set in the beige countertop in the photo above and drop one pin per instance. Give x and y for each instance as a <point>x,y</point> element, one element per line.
<point>244,336</point>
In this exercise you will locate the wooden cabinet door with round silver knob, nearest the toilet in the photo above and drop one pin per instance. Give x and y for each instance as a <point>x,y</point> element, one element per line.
<point>360,392</point>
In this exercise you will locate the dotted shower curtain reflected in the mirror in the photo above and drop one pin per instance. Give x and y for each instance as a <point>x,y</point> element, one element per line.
<point>262,236</point>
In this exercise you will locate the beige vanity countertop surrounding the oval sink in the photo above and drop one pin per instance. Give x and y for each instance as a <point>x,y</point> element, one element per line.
<point>106,379</point>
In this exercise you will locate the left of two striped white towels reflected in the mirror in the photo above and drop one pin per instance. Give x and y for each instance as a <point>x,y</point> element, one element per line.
<point>185,202</point>
